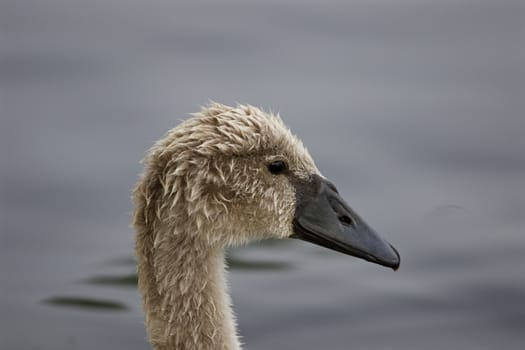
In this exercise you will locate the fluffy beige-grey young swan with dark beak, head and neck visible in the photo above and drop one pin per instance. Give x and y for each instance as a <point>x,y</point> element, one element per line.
<point>225,177</point>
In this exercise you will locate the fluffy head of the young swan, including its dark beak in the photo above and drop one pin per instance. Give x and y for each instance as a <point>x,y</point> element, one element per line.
<point>231,175</point>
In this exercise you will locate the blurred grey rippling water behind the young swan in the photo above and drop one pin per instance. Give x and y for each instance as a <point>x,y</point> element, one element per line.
<point>415,109</point>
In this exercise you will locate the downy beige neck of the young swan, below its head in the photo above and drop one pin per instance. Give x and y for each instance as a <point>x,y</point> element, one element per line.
<point>185,296</point>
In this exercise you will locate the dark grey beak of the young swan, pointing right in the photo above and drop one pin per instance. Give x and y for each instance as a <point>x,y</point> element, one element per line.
<point>323,217</point>
